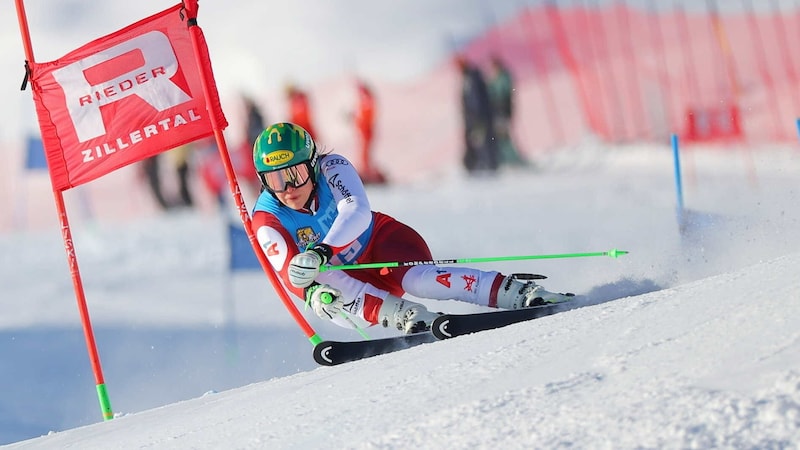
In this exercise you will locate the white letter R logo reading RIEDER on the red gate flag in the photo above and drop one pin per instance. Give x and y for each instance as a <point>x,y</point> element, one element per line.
<point>141,66</point>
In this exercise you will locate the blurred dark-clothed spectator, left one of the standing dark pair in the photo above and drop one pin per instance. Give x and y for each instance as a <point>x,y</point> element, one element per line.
<point>480,151</point>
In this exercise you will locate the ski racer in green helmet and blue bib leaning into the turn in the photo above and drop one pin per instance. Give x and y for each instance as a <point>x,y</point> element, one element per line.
<point>313,210</point>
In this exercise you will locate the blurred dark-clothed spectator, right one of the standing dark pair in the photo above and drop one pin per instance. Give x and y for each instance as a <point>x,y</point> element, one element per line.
<point>501,91</point>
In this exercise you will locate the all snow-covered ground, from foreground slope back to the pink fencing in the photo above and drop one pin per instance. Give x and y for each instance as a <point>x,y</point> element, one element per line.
<point>689,341</point>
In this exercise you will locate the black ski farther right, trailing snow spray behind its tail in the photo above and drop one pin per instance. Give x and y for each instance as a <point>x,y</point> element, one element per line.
<point>451,325</point>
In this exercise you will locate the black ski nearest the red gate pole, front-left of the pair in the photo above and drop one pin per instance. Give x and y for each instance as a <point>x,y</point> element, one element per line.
<point>331,353</point>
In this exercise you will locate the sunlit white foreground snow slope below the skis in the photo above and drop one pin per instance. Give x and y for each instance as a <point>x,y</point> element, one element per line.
<point>711,364</point>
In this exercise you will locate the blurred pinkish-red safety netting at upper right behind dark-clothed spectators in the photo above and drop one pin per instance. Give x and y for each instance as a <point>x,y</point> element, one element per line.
<point>639,74</point>
